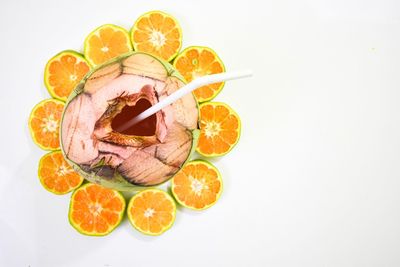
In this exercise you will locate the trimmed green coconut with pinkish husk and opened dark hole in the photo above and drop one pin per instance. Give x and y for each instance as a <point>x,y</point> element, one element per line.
<point>146,154</point>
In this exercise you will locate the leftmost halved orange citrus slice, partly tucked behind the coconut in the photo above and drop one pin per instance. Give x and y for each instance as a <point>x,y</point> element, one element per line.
<point>44,123</point>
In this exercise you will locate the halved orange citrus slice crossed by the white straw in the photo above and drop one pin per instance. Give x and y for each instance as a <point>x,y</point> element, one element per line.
<point>197,61</point>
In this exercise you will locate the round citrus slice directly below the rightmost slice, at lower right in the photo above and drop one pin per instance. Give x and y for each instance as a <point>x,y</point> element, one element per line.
<point>198,185</point>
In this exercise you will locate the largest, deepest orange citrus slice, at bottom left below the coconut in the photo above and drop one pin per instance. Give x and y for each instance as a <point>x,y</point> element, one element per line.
<point>96,210</point>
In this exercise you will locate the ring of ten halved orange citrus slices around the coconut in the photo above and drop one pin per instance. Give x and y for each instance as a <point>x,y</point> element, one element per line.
<point>96,210</point>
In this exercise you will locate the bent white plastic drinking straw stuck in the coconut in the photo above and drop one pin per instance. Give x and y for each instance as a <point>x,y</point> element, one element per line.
<point>199,82</point>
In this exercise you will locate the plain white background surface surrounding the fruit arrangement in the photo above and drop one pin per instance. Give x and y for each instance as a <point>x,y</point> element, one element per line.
<point>315,178</point>
